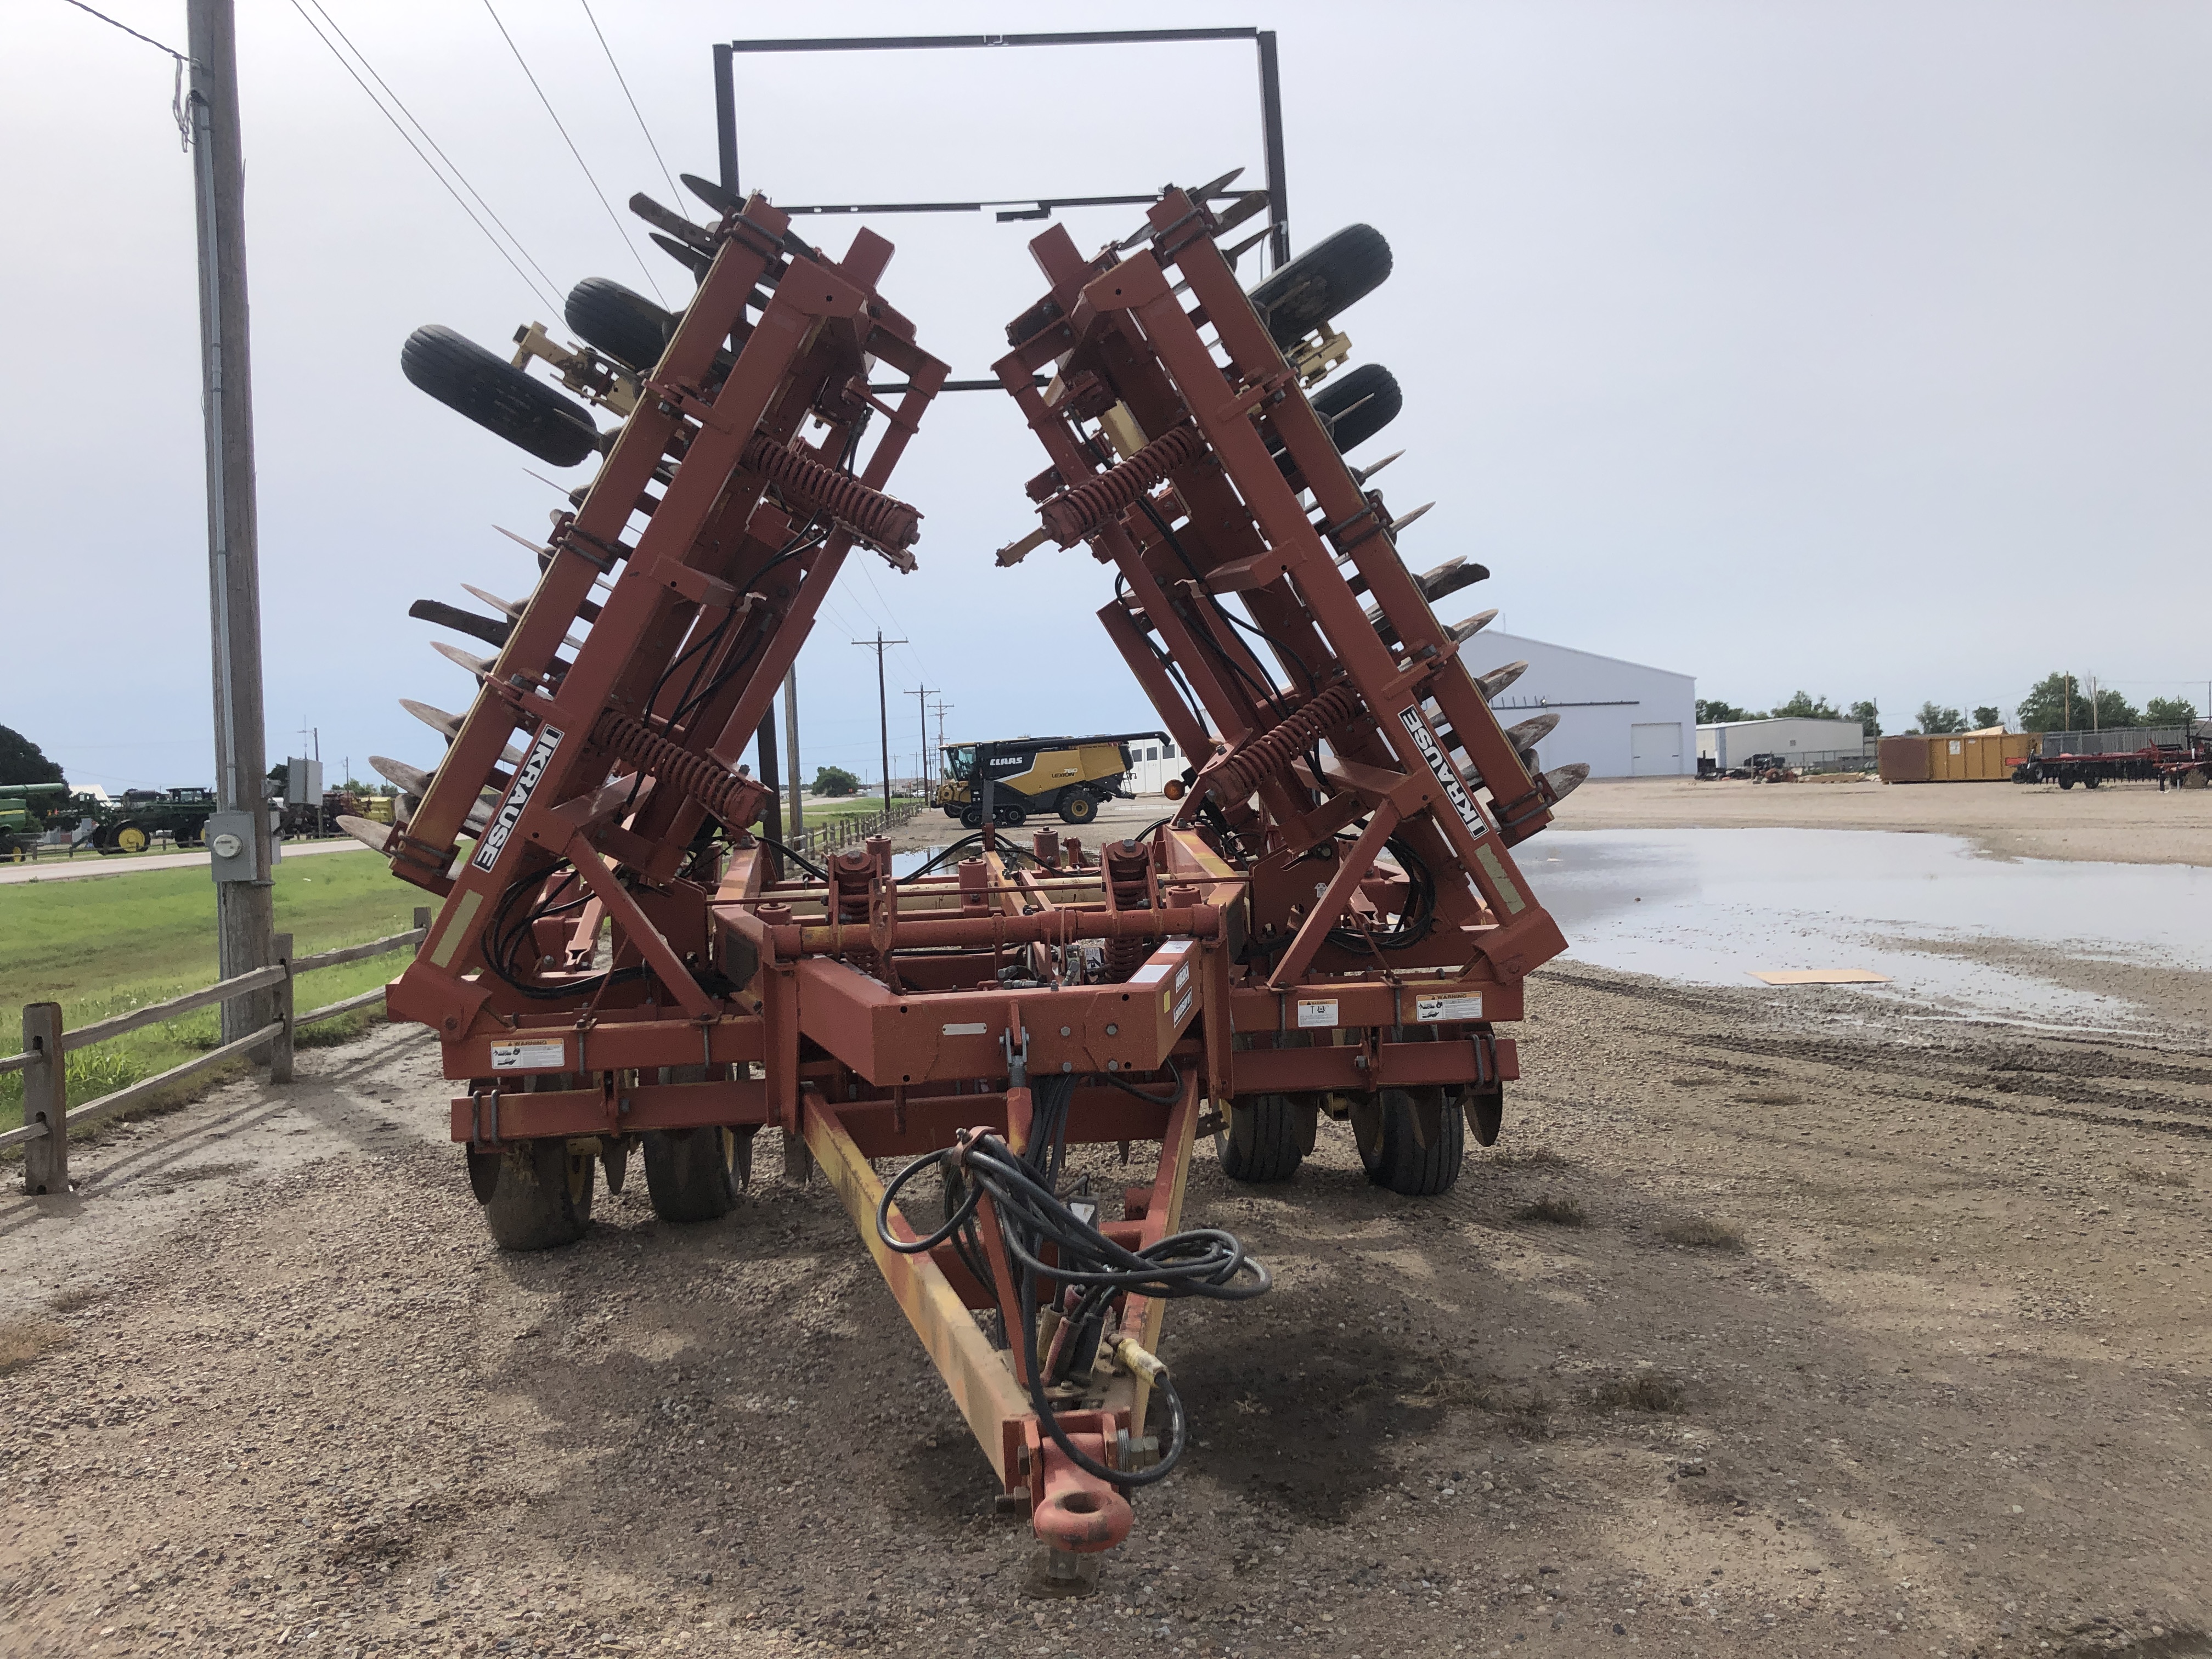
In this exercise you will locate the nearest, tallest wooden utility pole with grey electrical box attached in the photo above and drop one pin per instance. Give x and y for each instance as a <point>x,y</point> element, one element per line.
<point>244,912</point>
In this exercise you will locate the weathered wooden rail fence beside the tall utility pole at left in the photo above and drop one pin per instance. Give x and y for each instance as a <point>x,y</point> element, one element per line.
<point>45,1047</point>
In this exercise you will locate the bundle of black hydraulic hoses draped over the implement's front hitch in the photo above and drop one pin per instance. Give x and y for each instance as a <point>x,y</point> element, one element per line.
<point>1089,1275</point>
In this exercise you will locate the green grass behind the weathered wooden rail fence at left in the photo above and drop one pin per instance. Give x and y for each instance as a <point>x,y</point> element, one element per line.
<point>105,946</point>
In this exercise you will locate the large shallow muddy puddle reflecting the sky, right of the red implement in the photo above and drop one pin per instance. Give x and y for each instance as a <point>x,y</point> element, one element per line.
<point>1957,932</point>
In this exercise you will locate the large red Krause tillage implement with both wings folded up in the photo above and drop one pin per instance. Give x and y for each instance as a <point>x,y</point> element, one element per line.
<point>1333,924</point>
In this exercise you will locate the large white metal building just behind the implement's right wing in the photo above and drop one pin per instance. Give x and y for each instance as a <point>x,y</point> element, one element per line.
<point>1618,718</point>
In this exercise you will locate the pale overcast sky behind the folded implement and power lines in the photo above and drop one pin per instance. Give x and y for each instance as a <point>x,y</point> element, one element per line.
<point>1855,348</point>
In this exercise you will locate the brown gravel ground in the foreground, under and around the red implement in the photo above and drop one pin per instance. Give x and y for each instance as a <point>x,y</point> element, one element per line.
<point>1837,1339</point>
